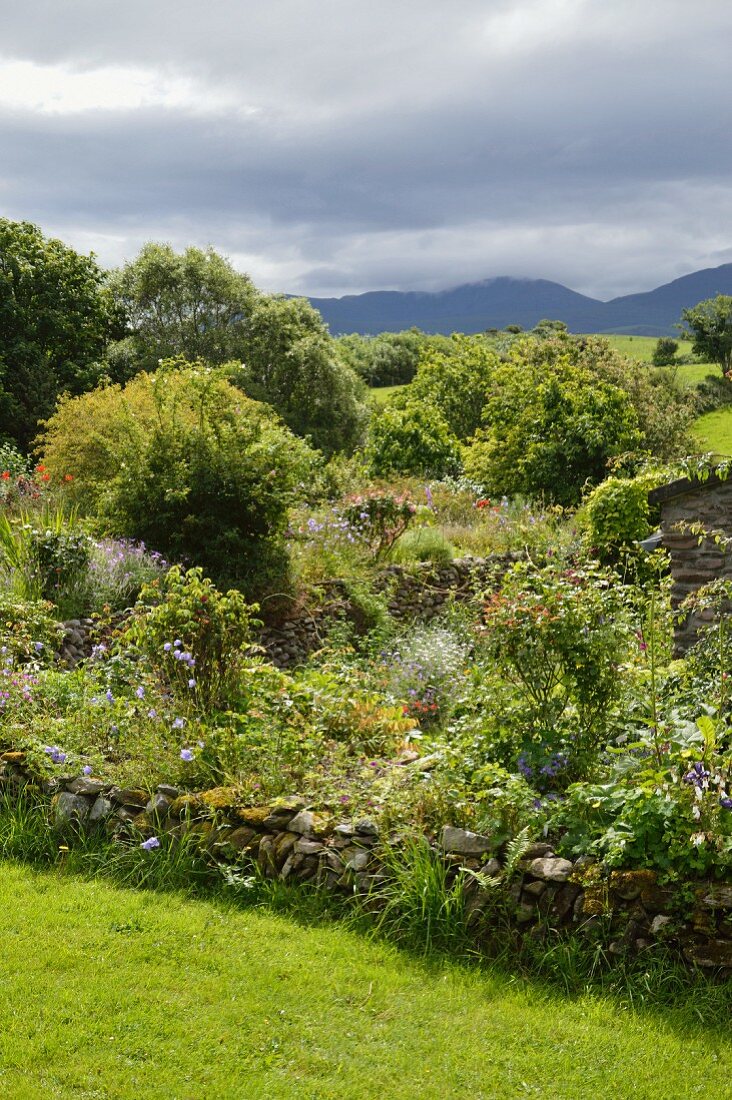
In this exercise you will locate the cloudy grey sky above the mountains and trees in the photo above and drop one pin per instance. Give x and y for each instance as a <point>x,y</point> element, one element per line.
<point>335,147</point>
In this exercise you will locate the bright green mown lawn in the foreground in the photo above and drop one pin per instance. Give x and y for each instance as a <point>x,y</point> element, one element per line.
<point>112,994</point>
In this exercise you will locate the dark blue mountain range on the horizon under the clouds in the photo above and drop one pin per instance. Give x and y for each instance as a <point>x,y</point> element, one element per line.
<point>499,302</point>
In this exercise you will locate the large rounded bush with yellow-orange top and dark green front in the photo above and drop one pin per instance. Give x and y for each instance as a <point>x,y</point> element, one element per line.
<point>187,464</point>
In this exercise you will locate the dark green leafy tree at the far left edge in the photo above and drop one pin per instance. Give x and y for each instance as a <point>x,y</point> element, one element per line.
<point>56,320</point>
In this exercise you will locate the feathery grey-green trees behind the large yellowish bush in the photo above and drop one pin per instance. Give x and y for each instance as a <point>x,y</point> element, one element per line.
<point>198,306</point>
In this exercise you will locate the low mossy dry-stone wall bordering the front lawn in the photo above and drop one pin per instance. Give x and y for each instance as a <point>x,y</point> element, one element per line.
<point>289,842</point>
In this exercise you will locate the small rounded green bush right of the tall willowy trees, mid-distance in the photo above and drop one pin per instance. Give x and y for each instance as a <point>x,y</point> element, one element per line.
<point>413,439</point>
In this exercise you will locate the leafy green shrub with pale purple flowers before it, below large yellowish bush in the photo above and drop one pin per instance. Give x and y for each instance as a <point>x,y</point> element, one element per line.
<point>189,631</point>
